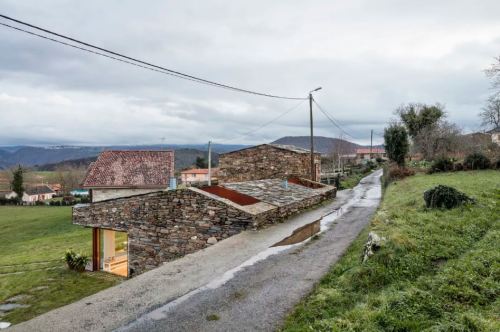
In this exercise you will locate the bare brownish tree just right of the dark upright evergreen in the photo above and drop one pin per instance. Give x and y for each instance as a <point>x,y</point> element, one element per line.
<point>440,139</point>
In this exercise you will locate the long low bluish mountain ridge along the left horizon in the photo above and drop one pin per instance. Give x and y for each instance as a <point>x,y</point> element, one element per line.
<point>31,156</point>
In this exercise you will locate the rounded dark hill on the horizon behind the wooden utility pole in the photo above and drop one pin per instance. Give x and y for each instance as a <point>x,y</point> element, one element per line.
<point>321,144</point>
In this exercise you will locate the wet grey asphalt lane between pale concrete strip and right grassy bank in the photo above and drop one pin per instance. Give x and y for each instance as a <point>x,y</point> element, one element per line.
<point>258,295</point>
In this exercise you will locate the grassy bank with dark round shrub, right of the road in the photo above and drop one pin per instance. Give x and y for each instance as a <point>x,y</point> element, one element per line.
<point>436,271</point>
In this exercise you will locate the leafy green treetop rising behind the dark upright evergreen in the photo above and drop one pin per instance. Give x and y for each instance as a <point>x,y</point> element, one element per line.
<point>419,116</point>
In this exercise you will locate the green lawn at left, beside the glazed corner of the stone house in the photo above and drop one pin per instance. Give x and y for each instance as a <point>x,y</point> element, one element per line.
<point>32,243</point>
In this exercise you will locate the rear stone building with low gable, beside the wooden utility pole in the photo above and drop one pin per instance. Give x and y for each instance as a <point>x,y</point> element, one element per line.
<point>267,161</point>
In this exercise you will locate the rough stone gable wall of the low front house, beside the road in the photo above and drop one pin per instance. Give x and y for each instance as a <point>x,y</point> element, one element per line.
<point>162,226</point>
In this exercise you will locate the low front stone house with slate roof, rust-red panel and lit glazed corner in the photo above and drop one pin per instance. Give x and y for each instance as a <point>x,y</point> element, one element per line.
<point>134,234</point>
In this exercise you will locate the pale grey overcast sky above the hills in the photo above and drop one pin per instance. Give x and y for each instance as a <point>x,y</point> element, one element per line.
<point>369,57</point>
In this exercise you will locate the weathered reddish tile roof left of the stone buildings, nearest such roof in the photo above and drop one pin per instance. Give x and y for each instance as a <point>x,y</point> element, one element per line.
<point>130,169</point>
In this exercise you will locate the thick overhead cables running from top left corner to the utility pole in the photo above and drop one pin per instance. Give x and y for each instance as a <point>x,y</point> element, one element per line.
<point>116,54</point>
